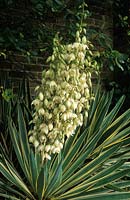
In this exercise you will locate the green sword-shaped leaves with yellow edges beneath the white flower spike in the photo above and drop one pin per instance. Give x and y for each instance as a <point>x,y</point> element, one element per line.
<point>93,164</point>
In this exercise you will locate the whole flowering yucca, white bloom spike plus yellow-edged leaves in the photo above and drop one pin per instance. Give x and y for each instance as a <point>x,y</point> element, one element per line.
<point>79,148</point>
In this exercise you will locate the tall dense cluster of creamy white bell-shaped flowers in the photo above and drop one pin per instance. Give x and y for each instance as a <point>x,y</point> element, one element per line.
<point>63,97</point>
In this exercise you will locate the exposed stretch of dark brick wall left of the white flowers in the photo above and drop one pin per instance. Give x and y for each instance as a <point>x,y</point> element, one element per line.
<point>16,67</point>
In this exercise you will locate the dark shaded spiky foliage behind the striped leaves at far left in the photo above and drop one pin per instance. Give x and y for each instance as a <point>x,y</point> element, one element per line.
<point>8,102</point>
